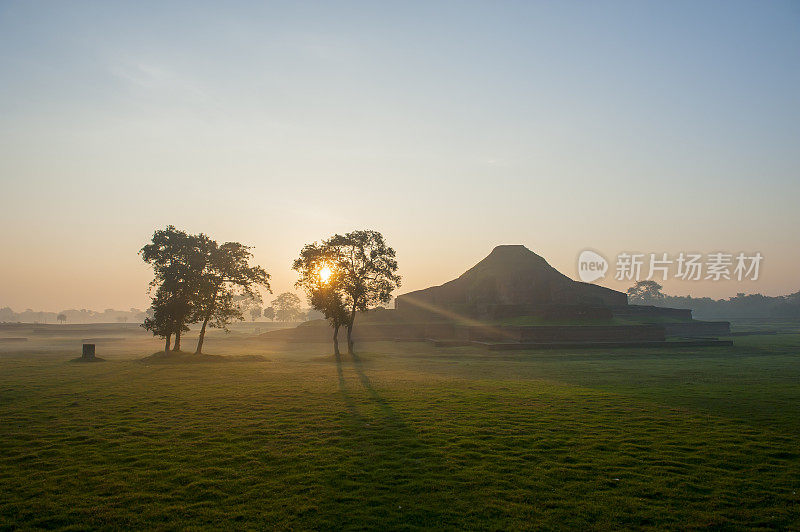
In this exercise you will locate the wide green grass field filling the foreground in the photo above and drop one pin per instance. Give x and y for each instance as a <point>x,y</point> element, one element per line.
<point>403,436</point>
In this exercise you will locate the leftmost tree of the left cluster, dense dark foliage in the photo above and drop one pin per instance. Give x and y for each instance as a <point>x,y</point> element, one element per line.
<point>177,261</point>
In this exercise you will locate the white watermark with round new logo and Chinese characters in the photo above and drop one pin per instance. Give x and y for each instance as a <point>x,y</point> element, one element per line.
<point>684,266</point>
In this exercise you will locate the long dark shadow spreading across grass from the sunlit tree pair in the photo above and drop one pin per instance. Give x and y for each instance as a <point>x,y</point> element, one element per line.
<point>387,477</point>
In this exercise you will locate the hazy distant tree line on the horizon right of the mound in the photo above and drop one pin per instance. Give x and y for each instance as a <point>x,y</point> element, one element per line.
<point>740,306</point>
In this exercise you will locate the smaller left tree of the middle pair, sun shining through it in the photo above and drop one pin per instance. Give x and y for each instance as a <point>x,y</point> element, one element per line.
<point>322,284</point>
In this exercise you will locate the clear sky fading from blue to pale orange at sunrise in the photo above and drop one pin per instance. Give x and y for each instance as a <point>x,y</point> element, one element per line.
<point>451,127</point>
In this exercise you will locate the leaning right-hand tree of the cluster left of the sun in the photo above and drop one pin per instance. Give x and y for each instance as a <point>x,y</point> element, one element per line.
<point>226,273</point>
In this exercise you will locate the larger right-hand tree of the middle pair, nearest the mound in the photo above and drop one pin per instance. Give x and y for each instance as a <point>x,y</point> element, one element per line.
<point>361,272</point>
